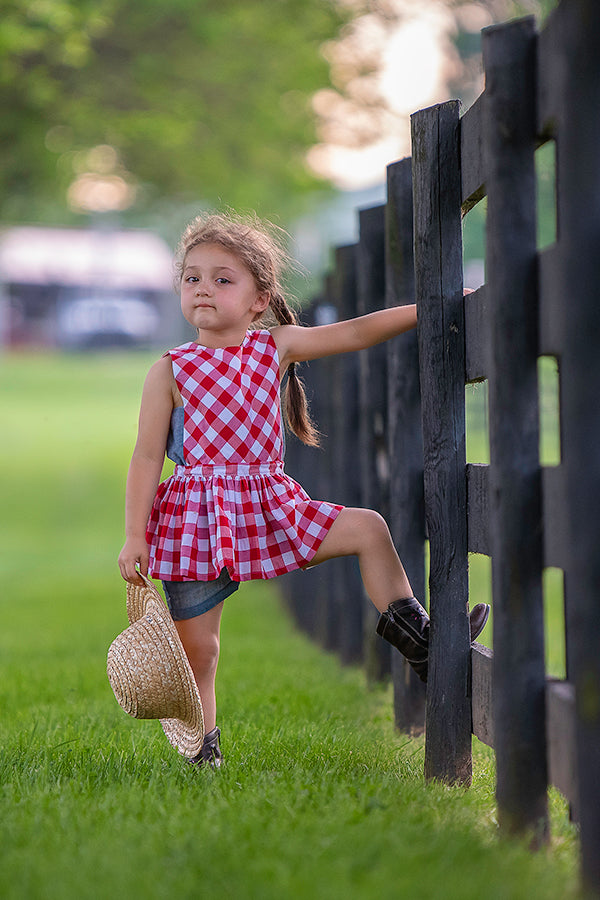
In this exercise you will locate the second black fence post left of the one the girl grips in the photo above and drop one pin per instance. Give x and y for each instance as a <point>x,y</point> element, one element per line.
<point>370,279</point>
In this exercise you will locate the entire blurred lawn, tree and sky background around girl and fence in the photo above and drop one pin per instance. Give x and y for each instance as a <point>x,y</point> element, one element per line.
<point>119,121</point>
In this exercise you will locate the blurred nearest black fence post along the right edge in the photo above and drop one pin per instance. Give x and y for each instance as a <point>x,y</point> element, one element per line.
<point>579,223</point>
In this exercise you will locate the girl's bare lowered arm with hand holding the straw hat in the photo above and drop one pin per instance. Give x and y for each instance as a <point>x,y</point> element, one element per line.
<point>146,466</point>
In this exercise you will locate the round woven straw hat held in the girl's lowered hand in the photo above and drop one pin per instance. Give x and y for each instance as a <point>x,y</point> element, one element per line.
<point>150,674</point>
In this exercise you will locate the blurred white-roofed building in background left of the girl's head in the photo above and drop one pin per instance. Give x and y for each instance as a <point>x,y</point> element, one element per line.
<point>73,288</point>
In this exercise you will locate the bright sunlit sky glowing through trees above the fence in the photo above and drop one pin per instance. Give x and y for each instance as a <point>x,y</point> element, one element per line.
<point>415,57</point>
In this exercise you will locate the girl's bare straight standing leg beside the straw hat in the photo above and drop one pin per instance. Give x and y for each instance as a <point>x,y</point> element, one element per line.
<point>200,637</point>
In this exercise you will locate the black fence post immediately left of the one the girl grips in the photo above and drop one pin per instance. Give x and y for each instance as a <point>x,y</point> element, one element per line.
<point>405,442</point>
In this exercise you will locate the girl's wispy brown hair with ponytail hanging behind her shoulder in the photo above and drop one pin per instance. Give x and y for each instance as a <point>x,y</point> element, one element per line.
<point>259,249</point>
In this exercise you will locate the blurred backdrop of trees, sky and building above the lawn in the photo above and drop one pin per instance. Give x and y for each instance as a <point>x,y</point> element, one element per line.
<point>121,119</point>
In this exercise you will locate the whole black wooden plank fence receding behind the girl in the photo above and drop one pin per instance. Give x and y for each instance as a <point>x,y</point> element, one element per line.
<point>395,424</point>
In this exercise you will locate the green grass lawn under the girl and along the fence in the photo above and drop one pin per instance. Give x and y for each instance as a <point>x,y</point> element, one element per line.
<point>320,797</point>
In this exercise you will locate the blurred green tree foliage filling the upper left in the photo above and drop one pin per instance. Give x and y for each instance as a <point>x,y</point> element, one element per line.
<point>202,101</point>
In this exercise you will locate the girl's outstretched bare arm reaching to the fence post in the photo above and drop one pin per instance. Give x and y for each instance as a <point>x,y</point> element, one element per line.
<point>295,343</point>
